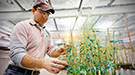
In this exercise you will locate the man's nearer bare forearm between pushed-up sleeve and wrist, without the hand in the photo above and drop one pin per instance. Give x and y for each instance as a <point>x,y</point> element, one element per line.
<point>32,62</point>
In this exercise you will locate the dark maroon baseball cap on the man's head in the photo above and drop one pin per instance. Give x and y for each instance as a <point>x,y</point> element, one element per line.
<point>44,5</point>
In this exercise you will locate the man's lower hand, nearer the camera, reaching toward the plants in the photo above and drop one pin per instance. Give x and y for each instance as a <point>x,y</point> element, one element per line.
<point>54,65</point>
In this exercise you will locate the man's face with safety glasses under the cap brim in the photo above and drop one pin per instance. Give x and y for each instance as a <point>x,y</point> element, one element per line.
<point>41,16</point>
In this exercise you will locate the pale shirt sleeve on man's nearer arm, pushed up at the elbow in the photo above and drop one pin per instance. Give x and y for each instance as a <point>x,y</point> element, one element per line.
<point>18,42</point>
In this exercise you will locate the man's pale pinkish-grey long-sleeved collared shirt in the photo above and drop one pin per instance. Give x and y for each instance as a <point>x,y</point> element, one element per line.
<point>28,37</point>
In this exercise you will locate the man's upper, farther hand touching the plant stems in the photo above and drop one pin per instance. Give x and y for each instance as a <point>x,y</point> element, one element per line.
<point>61,50</point>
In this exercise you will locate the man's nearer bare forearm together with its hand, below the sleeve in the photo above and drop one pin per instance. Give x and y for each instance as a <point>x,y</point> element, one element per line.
<point>52,65</point>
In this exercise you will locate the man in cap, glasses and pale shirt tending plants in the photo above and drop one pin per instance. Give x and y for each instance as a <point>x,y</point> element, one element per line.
<point>30,42</point>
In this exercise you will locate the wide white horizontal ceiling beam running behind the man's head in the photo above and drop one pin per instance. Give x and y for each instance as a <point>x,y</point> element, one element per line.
<point>72,13</point>
